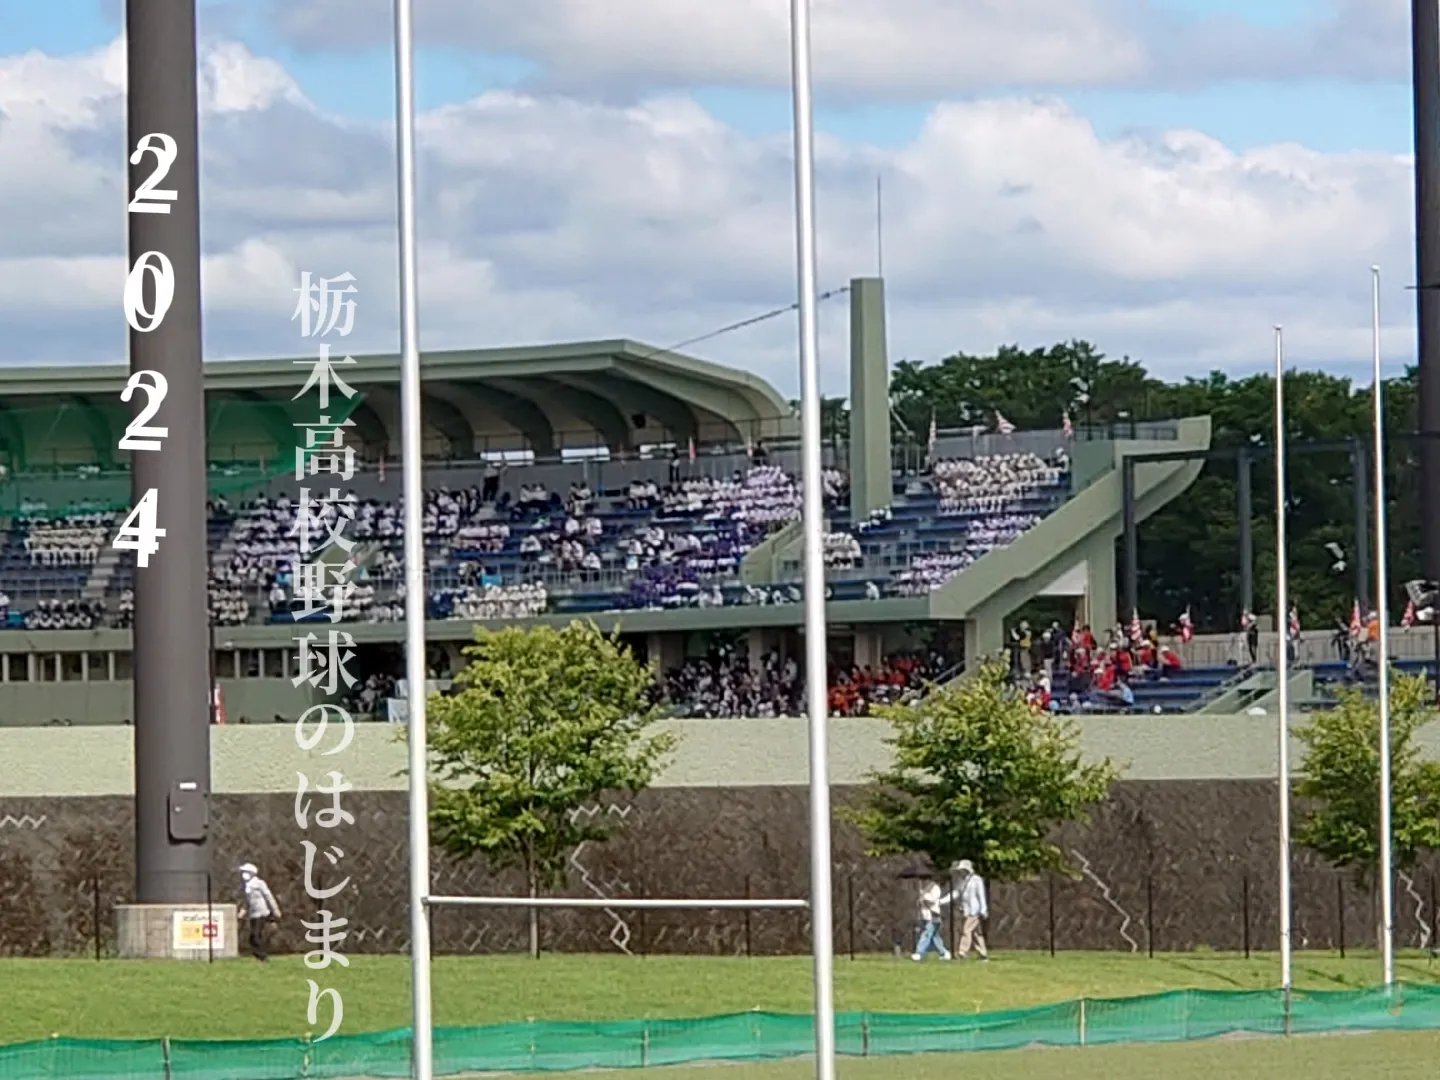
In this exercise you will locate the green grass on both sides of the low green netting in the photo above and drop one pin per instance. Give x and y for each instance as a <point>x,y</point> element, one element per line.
<point>247,1000</point>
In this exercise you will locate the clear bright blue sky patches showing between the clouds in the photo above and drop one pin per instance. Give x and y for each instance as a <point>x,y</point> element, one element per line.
<point>1324,114</point>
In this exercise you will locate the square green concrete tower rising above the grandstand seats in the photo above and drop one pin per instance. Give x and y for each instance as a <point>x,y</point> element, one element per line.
<point>870,469</point>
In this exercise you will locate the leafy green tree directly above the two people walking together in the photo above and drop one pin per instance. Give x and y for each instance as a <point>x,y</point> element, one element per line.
<point>980,775</point>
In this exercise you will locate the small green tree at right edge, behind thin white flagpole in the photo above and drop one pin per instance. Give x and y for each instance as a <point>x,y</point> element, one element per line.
<point>1343,780</point>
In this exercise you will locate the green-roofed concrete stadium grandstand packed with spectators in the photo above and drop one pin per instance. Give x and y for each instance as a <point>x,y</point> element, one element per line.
<point>652,492</point>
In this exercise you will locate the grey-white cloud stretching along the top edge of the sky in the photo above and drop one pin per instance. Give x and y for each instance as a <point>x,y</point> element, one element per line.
<point>873,50</point>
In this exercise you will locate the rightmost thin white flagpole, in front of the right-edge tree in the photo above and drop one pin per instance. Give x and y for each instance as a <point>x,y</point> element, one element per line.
<point>1387,915</point>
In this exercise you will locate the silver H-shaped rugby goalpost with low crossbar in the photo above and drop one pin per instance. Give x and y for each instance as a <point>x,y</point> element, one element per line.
<point>423,901</point>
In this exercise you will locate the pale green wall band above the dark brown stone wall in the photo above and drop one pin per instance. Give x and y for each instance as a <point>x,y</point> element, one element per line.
<point>54,762</point>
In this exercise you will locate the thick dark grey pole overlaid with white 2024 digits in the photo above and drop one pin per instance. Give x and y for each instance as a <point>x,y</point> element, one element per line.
<point>171,666</point>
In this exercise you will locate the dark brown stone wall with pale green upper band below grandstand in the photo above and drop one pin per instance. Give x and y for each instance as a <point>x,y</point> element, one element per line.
<point>1184,850</point>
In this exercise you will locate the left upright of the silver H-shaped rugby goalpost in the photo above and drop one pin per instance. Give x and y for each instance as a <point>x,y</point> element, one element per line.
<point>414,496</point>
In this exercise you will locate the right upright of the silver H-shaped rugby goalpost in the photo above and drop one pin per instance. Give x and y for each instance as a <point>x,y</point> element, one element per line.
<point>823,934</point>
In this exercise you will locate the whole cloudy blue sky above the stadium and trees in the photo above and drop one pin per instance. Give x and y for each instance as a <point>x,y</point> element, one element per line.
<point>568,218</point>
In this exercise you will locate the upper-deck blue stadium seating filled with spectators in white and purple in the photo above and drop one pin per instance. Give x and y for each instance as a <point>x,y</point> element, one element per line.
<point>637,545</point>
